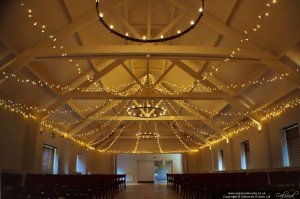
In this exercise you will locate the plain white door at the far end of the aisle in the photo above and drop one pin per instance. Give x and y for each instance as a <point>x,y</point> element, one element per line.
<point>145,171</point>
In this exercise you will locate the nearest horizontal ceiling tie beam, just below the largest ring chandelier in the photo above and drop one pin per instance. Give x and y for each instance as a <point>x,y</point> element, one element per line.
<point>155,51</point>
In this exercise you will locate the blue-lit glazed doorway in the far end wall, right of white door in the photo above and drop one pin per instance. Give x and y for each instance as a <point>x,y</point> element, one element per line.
<point>161,168</point>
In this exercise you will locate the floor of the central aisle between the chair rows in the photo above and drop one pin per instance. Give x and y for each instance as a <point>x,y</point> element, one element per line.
<point>147,191</point>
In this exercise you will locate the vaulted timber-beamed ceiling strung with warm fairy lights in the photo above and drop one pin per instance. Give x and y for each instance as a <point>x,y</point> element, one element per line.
<point>59,64</point>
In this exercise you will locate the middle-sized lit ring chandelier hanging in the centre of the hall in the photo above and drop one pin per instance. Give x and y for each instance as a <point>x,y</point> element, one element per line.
<point>146,110</point>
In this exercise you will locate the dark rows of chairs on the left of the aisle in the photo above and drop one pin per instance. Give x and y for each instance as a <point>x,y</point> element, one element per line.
<point>39,186</point>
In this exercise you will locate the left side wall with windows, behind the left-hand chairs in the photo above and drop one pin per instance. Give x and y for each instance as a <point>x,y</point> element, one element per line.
<point>21,144</point>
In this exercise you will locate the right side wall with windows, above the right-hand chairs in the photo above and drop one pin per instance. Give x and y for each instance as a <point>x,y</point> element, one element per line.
<point>265,147</point>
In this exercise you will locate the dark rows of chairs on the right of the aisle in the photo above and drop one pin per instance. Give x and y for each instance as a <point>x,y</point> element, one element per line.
<point>212,185</point>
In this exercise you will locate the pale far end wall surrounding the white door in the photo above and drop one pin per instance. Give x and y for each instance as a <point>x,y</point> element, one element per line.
<point>128,163</point>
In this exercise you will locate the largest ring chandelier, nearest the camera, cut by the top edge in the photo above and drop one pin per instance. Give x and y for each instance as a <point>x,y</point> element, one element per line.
<point>169,32</point>
